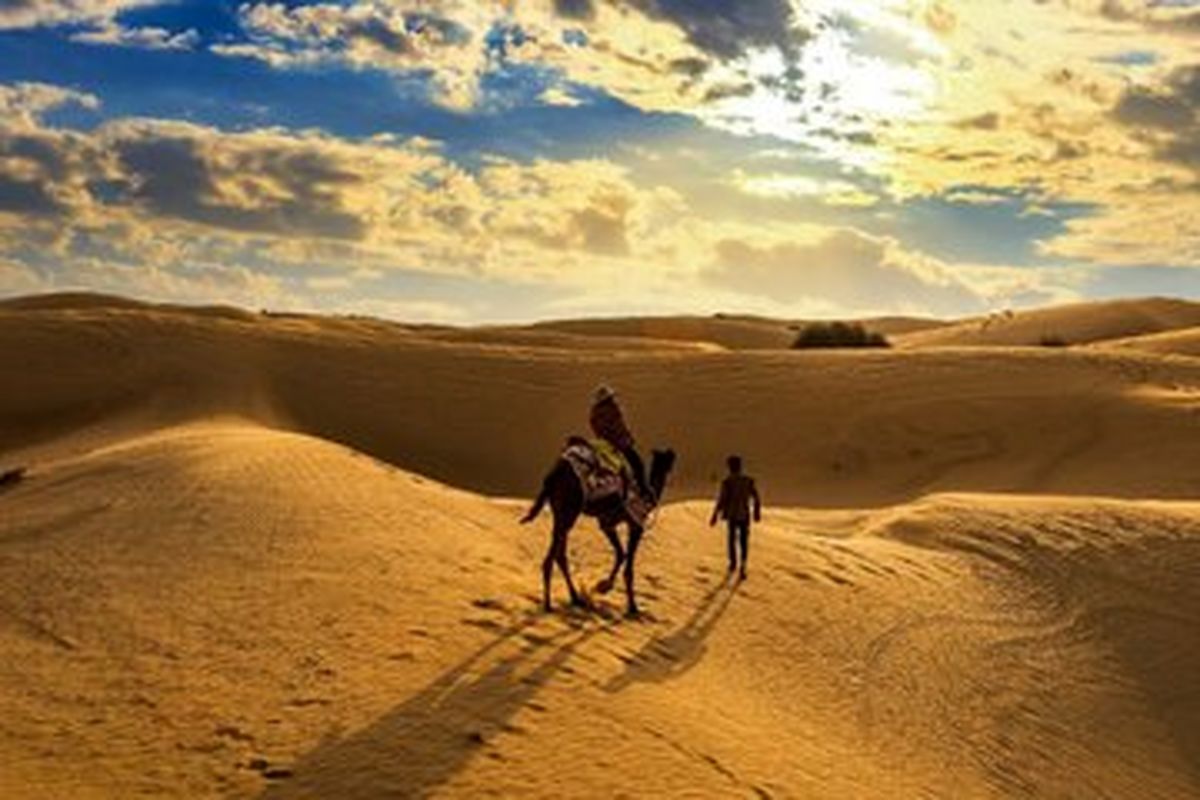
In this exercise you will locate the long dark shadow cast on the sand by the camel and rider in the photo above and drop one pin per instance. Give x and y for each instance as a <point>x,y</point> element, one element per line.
<point>423,743</point>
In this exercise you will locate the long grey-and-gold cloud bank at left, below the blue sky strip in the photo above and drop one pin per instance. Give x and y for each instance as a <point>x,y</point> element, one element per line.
<point>154,194</point>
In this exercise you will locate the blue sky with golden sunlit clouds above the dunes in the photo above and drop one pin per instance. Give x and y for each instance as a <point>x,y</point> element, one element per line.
<point>518,160</point>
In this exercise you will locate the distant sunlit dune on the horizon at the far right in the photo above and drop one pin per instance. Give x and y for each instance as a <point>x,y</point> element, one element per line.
<point>1073,324</point>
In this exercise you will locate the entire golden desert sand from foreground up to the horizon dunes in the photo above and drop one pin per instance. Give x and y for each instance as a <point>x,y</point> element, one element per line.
<point>279,557</point>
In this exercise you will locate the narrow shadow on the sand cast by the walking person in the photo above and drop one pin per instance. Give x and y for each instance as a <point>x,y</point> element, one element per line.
<point>667,658</point>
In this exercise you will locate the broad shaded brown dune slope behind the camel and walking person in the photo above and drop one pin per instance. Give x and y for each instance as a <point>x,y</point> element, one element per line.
<point>820,429</point>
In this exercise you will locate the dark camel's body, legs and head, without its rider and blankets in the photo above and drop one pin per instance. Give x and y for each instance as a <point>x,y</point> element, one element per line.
<point>563,492</point>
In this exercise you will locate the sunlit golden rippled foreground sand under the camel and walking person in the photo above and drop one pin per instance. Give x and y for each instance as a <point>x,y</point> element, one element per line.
<point>229,610</point>
